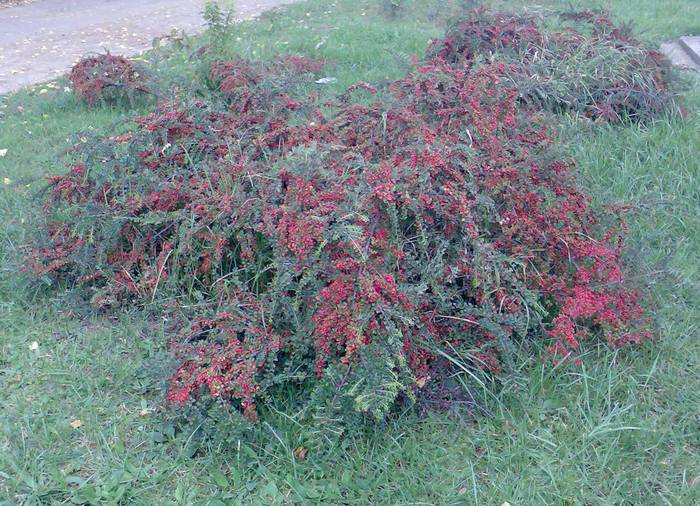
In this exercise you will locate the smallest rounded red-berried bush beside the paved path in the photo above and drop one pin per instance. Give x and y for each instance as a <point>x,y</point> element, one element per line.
<point>107,77</point>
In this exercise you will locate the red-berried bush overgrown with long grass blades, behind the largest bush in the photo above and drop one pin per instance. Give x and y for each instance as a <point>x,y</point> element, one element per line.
<point>585,64</point>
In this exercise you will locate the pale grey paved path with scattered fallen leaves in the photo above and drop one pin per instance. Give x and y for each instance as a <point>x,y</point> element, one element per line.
<point>43,39</point>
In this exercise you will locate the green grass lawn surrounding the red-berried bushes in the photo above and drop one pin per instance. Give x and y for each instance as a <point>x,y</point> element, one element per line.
<point>623,429</point>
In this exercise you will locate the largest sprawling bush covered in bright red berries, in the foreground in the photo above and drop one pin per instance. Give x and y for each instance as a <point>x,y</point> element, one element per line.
<point>352,250</point>
